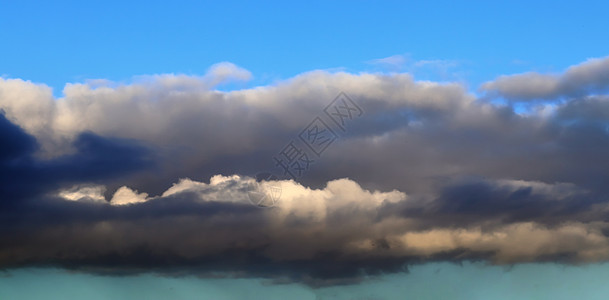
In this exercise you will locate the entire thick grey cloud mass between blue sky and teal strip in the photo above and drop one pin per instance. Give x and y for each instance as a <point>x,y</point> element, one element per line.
<point>429,172</point>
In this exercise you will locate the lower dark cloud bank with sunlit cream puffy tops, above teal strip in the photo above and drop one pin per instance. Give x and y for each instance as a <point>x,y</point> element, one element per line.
<point>316,236</point>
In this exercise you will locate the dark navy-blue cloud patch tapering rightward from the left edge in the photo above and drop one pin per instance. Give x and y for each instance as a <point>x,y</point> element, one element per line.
<point>95,158</point>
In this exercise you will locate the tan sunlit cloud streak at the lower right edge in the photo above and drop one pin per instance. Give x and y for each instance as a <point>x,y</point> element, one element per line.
<point>519,242</point>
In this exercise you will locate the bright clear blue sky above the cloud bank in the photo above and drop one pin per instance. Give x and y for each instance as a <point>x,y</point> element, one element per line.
<point>71,41</point>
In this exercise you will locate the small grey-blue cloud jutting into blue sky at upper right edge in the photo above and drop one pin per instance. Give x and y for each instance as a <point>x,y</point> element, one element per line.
<point>587,77</point>
